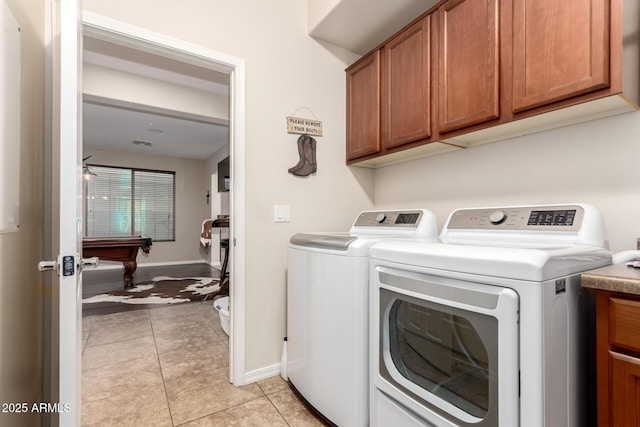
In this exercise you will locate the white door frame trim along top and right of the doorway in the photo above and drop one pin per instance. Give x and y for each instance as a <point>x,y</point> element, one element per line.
<point>121,33</point>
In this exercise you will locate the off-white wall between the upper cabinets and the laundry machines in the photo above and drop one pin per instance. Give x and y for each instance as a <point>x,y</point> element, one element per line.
<point>594,162</point>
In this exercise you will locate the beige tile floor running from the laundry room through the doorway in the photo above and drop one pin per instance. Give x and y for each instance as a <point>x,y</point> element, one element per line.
<point>168,366</point>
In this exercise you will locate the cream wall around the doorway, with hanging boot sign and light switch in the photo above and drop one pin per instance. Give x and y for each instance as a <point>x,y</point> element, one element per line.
<point>285,70</point>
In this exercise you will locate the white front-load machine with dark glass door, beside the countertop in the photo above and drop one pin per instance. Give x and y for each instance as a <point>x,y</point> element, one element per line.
<point>489,327</point>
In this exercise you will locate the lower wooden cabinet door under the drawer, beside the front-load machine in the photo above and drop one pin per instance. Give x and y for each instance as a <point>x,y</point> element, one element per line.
<point>624,392</point>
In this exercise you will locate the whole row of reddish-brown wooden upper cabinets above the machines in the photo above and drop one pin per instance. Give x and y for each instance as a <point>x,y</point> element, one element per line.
<point>467,72</point>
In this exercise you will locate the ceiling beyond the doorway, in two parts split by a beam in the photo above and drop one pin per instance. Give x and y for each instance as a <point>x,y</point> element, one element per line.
<point>110,124</point>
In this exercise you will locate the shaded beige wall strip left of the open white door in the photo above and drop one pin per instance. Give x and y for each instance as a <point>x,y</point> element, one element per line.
<point>21,285</point>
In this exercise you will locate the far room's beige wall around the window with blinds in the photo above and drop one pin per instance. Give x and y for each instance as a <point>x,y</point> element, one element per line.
<point>191,206</point>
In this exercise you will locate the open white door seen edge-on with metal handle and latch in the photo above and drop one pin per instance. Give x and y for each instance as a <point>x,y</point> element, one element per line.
<point>66,208</point>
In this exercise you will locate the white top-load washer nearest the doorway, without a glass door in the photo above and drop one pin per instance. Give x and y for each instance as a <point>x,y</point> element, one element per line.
<point>328,311</point>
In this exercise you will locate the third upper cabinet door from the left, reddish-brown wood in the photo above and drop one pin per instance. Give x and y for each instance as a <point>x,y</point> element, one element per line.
<point>468,65</point>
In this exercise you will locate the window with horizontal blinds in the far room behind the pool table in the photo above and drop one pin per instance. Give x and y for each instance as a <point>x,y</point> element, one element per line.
<point>130,202</point>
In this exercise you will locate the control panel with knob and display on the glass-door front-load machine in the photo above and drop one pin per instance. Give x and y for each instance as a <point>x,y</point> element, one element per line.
<point>557,218</point>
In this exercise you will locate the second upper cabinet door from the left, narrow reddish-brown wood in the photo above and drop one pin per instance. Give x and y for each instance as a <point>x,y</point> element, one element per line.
<point>406,83</point>
